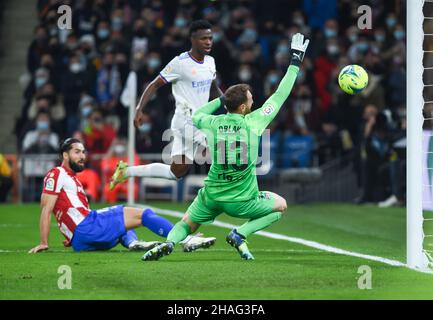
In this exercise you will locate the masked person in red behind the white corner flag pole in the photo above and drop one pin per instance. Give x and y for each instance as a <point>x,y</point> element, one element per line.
<point>117,152</point>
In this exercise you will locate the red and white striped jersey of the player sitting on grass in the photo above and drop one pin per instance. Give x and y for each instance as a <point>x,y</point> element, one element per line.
<point>72,205</point>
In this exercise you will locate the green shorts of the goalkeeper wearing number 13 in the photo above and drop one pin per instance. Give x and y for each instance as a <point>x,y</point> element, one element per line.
<point>204,209</point>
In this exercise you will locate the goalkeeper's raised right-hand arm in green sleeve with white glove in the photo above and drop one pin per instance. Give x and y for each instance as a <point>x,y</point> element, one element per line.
<point>261,117</point>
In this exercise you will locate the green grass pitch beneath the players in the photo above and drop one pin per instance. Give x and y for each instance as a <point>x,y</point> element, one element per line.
<point>282,270</point>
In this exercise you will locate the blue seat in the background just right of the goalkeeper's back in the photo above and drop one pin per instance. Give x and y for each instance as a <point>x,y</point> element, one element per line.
<point>297,151</point>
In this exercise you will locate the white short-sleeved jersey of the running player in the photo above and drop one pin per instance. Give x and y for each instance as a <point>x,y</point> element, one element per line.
<point>191,81</point>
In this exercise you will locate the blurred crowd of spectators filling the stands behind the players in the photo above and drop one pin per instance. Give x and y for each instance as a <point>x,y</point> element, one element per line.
<point>77,76</point>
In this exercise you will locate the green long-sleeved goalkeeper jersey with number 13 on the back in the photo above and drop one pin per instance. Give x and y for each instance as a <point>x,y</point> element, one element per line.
<point>233,141</point>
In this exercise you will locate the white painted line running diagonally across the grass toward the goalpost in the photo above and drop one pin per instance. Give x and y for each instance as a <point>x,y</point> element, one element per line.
<point>301,241</point>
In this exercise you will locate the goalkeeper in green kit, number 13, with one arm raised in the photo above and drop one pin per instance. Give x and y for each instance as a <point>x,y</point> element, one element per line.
<point>231,186</point>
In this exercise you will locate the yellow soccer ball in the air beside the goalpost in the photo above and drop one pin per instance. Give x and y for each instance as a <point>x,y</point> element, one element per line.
<point>353,79</point>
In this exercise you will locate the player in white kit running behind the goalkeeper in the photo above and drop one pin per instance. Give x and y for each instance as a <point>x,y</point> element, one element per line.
<point>192,75</point>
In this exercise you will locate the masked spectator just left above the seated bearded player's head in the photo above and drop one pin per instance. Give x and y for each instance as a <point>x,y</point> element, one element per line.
<point>41,139</point>
